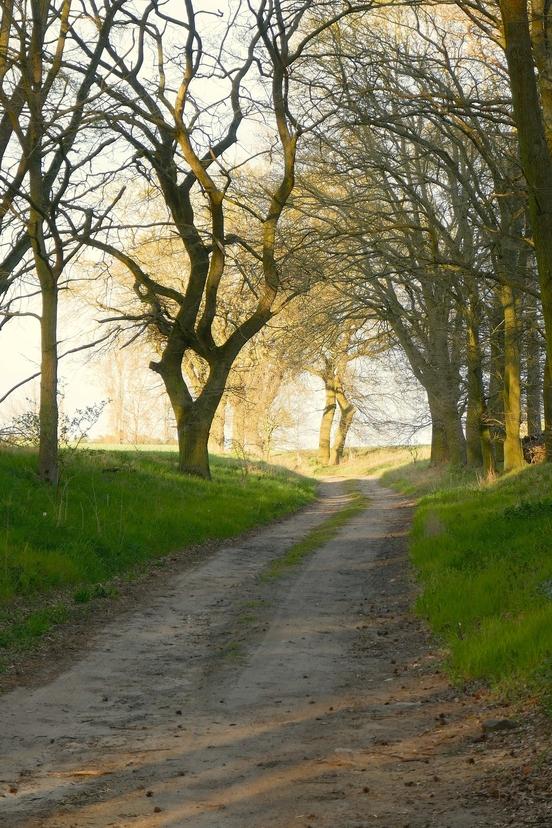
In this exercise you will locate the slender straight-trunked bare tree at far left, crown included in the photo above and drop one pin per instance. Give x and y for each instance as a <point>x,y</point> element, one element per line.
<point>45,166</point>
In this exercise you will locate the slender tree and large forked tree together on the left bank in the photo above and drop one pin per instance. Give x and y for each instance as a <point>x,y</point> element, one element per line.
<point>99,95</point>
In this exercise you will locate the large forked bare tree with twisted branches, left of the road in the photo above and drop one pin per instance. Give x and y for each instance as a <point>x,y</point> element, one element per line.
<point>181,136</point>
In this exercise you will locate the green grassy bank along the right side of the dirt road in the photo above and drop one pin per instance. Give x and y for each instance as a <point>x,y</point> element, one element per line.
<point>483,552</point>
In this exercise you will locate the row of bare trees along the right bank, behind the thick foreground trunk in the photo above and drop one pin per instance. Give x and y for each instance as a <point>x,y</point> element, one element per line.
<point>435,212</point>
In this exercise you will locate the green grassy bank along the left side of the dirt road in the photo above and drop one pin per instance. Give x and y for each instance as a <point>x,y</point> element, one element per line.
<point>113,512</point>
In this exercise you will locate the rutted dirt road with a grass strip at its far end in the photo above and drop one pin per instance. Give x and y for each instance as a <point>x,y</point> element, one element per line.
<point>224,701</point>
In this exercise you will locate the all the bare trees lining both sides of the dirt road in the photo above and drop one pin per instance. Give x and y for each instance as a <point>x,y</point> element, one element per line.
<point>363,179</point>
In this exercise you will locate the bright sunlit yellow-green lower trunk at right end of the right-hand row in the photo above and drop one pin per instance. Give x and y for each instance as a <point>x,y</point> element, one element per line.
<point>513,452</point>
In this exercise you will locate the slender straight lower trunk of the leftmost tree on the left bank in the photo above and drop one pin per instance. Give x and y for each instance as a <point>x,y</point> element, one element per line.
<point>48,467</point>
